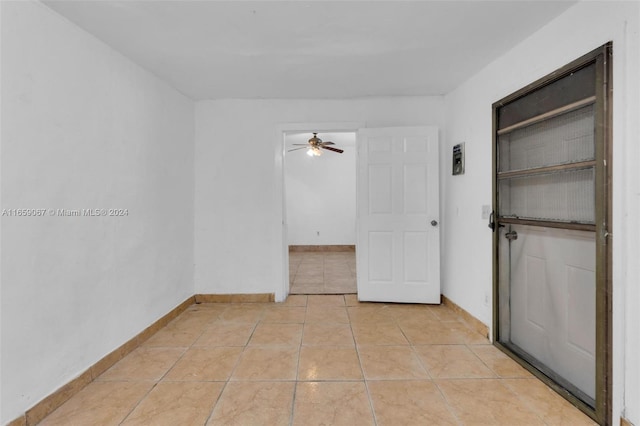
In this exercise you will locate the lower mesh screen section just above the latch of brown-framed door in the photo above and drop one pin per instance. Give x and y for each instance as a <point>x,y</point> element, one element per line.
<point>561,196</point>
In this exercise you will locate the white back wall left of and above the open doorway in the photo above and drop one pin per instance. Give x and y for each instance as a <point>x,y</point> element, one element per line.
<point>238,163</point>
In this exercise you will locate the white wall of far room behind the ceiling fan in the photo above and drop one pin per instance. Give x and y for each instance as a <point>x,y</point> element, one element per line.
<point>321,191</point>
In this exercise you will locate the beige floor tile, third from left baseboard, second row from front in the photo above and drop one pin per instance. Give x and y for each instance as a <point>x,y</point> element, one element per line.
<point>267,363</point>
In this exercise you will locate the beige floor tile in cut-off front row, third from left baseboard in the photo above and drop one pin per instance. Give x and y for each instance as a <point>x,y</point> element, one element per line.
<point>254,403</point>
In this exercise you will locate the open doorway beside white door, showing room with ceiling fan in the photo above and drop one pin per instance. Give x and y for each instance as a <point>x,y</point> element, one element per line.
<point>320,207</point>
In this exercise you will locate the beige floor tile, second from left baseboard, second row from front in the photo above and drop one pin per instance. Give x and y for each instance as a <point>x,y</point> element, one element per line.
<point>200,364</point>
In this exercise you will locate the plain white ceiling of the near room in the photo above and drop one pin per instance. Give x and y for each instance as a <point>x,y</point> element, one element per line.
<point>311,49</point>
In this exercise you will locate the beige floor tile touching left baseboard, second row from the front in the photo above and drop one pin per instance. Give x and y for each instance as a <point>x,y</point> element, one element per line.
<point>144,363</point>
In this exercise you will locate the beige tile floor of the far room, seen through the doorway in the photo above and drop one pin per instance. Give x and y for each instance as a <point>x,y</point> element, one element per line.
<point>322,272</point>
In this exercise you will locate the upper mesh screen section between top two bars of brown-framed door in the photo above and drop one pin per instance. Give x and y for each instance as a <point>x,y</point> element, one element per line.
<point>567,138</point>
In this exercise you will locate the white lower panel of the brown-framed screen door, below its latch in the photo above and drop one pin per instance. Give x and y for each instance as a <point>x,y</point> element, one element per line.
<point>553,301</point>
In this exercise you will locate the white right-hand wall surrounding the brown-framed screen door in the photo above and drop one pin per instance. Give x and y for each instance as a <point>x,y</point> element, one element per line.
<point>467,239</point>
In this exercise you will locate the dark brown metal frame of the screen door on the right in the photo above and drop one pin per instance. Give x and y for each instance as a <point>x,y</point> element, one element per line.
<point>602,412</point>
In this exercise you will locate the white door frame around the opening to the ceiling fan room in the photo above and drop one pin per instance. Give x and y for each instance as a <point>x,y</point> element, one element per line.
<point>321,127</point>
